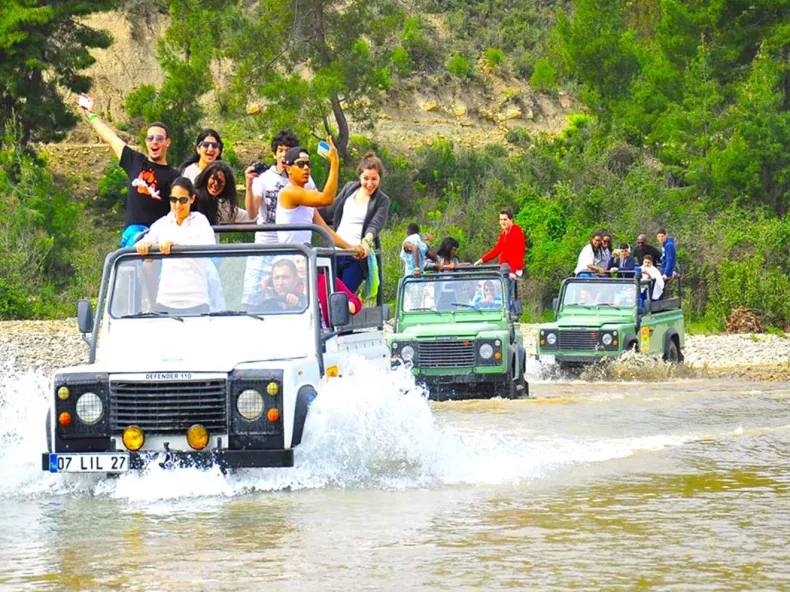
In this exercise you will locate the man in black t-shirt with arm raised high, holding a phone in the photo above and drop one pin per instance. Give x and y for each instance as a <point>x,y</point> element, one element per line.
<point>150,177</point>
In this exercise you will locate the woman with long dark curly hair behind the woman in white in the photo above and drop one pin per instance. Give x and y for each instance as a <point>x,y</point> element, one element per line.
<point>215,189</point>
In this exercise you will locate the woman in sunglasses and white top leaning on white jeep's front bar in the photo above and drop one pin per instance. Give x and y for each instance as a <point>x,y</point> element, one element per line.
<point>183,283</point>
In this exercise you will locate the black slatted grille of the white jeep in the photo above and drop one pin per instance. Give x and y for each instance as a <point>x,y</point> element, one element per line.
<point>169,406</point>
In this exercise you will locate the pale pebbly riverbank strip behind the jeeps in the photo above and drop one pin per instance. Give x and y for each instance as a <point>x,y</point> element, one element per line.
<point>47,345</point>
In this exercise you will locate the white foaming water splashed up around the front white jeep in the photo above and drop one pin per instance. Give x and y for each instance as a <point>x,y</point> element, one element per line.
<point>370,428</point>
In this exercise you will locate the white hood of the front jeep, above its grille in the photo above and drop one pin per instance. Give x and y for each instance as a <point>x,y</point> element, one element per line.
<point>205,345</point>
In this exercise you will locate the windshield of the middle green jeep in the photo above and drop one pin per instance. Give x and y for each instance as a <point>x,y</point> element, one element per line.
<point>449,294</point>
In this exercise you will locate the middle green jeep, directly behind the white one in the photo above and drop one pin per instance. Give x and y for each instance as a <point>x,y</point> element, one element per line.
<point>459,335</point>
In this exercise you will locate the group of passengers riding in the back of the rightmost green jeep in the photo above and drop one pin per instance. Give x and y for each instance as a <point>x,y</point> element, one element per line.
<point>597,259</point>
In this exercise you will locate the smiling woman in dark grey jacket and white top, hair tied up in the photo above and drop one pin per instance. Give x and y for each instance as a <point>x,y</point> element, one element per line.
<point>358,214</point>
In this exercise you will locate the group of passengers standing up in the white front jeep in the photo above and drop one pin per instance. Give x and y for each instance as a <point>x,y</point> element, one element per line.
<point>168,206</point>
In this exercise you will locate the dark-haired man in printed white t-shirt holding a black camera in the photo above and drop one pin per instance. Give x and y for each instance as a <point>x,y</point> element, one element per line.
<point>263,185</point>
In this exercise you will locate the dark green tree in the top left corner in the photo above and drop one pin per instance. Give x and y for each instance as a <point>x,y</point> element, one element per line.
<point>43,48</point>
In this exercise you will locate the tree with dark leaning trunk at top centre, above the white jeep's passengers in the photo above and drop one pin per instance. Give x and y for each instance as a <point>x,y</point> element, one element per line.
<point>314,61</point>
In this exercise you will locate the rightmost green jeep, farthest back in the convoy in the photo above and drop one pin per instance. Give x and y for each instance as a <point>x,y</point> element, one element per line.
<point>597,318</point>
